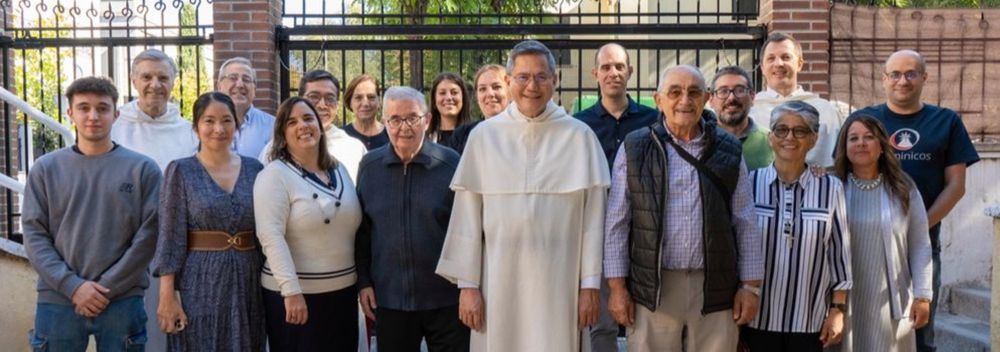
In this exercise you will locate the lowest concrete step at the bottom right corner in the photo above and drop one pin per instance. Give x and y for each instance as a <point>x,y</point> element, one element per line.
<point>954,333</point>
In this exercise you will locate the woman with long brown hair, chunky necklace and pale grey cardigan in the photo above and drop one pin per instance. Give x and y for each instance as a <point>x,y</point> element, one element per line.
<point>890,249</point>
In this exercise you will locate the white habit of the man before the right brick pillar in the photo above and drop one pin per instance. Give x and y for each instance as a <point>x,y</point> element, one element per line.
<point>830,120</point>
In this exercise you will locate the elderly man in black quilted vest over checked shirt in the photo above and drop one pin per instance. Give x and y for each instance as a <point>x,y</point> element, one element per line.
<point>681,239</point>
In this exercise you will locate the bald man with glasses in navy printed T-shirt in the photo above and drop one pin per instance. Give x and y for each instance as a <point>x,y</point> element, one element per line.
<point>933,147</point>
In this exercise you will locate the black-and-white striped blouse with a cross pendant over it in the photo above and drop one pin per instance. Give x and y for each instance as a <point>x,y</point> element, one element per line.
<point>806,249</point>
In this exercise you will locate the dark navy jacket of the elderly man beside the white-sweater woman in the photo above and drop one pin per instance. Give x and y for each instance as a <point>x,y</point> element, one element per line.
<point>406,212</point>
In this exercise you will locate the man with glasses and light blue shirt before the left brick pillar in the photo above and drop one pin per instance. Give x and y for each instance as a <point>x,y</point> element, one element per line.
<point>238,80</point>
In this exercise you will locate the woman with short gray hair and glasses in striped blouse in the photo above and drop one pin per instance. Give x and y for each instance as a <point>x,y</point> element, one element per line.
<point>807,271</point>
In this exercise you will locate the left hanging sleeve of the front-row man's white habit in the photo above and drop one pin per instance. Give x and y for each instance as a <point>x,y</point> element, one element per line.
<point>462,254</point>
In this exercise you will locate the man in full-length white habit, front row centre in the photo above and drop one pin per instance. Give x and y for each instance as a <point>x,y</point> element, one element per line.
<point>524,243</point>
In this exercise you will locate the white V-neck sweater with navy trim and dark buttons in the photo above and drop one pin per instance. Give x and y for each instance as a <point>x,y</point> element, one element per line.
<point>306,229</point>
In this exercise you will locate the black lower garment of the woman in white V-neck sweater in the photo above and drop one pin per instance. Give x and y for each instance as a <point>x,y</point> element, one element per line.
<point>332,324</point>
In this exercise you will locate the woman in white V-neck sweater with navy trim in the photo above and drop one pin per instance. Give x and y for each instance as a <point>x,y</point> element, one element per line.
<point>307,214</point>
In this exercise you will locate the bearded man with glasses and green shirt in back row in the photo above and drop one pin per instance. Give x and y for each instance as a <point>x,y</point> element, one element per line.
<point>732,97</point>
